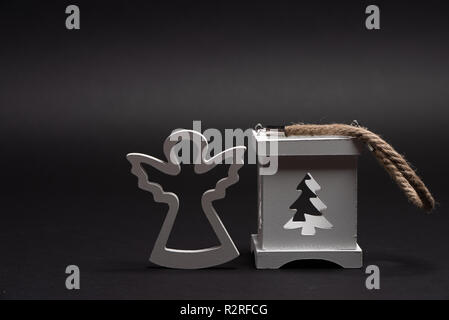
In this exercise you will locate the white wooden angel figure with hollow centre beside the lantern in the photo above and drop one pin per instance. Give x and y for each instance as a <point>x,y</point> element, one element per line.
<point>189,259</point>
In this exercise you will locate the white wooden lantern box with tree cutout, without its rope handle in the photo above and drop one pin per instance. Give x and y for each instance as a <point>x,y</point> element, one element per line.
<point>308,207</point>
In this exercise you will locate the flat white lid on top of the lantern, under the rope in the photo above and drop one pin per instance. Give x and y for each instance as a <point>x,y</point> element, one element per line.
<point>266,140</point>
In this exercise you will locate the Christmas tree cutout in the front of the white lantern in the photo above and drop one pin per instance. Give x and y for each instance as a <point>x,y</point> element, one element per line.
<point>308,209</point>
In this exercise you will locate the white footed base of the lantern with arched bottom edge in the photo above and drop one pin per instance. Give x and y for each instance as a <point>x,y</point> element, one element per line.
<point>274,259</point>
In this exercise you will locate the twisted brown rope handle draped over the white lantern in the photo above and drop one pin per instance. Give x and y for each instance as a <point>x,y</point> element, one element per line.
<point>395,164</point>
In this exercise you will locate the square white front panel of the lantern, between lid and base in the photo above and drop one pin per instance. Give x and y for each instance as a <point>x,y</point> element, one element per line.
<point>310,203</point>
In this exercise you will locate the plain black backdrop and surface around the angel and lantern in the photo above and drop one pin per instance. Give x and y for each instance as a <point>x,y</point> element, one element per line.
<point>73,103</point>
